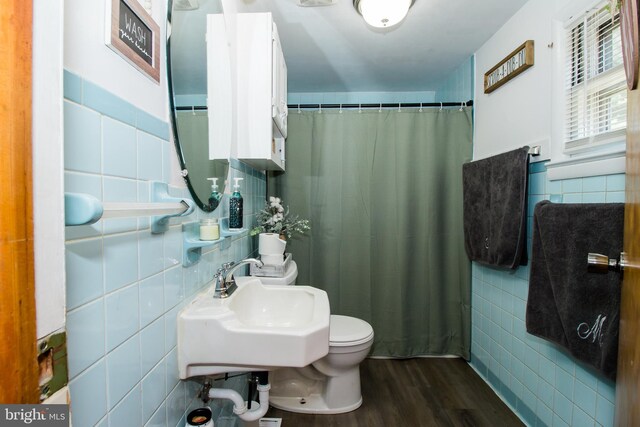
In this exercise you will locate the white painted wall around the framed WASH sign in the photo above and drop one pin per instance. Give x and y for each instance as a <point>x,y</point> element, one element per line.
<point>86,54</point>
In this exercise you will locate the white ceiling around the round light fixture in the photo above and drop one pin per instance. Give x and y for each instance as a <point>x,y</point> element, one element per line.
<point>331,49</point>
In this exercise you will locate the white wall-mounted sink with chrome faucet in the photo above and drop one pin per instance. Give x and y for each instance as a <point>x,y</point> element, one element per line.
<point>257,328</point>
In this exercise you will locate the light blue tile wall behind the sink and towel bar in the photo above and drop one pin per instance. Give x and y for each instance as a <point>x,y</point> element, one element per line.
<point>125,286</point>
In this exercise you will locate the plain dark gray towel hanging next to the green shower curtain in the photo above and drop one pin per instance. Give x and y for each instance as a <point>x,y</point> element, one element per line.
<point>495,209</point>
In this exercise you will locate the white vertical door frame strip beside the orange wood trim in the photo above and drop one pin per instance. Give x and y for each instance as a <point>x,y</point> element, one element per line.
<point>48,163</point>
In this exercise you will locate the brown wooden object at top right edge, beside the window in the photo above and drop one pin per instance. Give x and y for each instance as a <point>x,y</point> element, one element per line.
<point>630,39</point>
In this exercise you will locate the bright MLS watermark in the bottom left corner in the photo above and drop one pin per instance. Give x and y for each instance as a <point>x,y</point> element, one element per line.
<point>34,415</point>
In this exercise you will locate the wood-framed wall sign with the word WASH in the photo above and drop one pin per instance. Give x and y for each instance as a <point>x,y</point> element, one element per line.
<point>133,34</point>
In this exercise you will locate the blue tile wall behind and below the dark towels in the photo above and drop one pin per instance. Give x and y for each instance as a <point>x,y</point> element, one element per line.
<point>538,379</point>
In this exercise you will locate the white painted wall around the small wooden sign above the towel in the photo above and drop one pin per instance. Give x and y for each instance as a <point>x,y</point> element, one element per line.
<point>519,112</point>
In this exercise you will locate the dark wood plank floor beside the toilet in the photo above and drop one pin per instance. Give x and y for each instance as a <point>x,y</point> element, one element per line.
<point>415,393</point>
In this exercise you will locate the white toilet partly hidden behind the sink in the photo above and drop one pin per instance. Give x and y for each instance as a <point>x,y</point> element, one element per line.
<point>330,385</point>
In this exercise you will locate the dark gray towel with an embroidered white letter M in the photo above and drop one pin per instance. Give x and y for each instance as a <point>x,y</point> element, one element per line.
<point>567,304</point>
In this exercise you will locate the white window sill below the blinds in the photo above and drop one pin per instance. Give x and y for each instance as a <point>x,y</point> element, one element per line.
<point>612,162</point>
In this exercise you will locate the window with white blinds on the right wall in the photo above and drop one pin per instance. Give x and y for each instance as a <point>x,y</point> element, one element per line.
<point>596,93</point>
